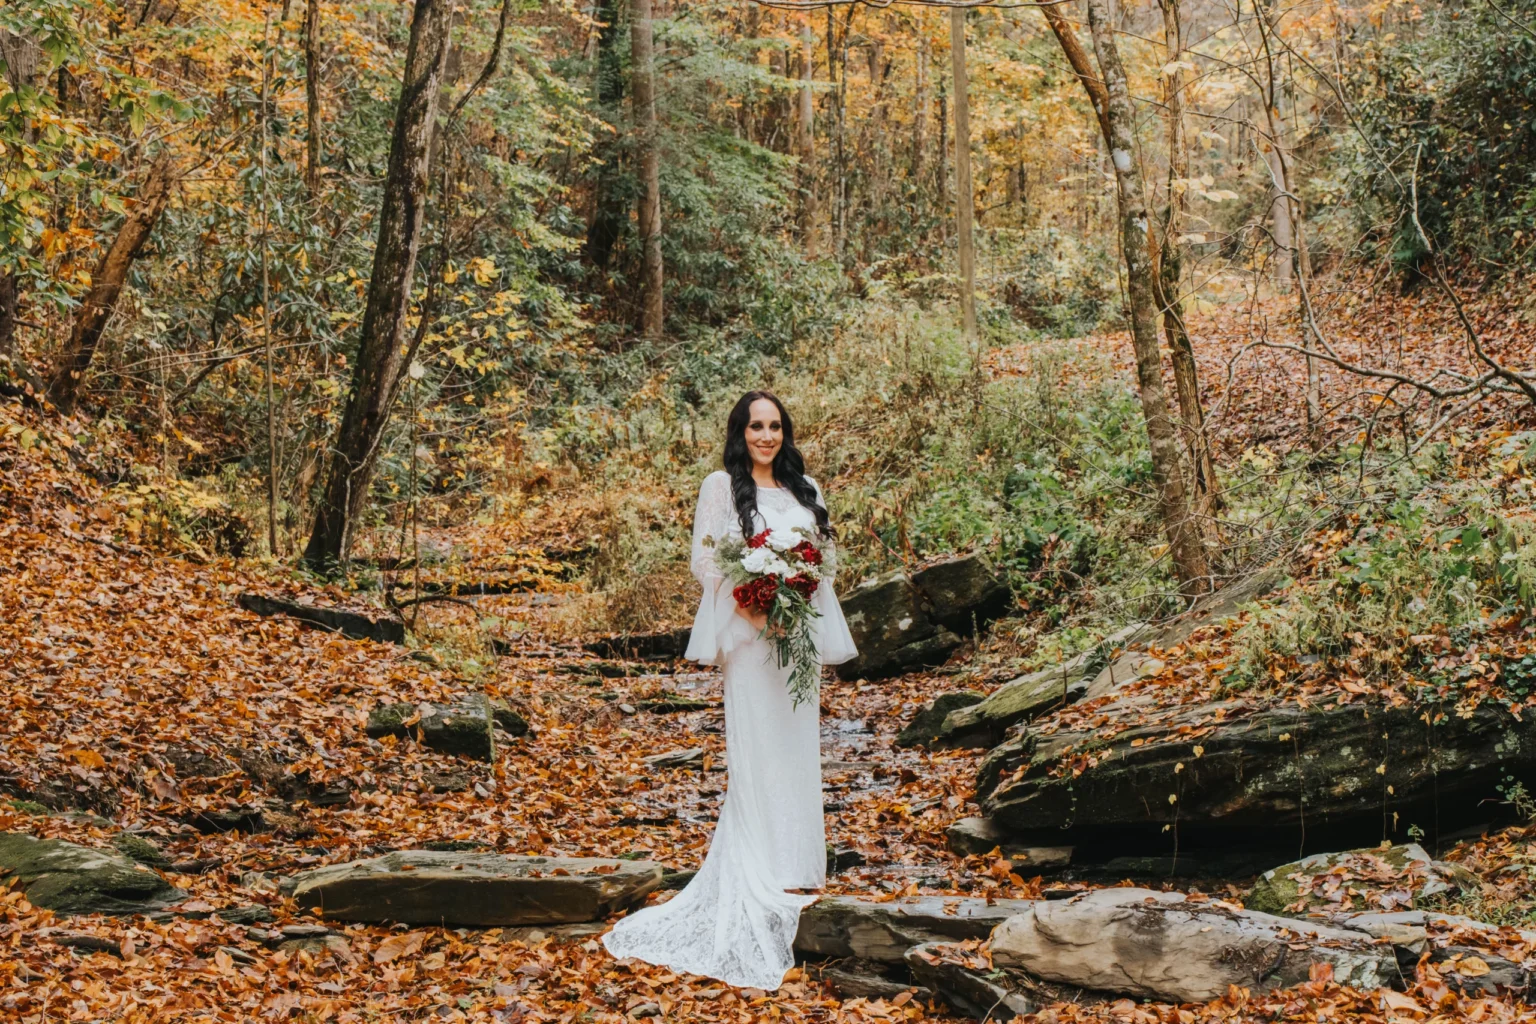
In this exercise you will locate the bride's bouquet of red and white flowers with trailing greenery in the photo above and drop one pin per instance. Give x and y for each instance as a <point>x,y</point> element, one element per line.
<point>776,573</point>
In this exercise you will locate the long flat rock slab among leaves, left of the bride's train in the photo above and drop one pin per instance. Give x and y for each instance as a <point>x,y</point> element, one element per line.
<point>474,890</point>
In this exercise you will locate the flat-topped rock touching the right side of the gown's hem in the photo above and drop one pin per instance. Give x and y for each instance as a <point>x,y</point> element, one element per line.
<point>849,927</point>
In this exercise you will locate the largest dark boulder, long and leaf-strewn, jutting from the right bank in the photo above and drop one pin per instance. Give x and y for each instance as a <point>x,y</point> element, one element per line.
<point>1211,773</point>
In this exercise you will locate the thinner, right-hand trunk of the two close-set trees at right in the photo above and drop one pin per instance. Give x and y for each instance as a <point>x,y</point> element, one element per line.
<point>1171,280</point>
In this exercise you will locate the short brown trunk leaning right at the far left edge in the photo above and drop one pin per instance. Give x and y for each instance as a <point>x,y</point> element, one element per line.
<point>107,283</point>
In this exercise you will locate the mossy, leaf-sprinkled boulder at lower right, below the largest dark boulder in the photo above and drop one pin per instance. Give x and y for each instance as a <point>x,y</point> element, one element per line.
<point>1405,870</point>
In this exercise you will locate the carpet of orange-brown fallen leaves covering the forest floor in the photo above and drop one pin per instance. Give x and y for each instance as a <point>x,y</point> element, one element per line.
<point>134,684</point>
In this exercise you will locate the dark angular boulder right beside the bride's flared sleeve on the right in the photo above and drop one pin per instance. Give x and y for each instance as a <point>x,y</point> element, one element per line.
<point>893,629</point>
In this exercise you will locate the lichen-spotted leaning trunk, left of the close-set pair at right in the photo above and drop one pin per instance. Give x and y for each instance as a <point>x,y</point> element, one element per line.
<point>1187,544</point>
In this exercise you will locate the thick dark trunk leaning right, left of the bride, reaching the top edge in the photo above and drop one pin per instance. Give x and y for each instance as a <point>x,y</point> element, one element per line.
<point>383,349</point>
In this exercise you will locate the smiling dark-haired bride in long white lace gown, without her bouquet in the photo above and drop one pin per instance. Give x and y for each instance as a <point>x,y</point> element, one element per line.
<point>735,922</point>
